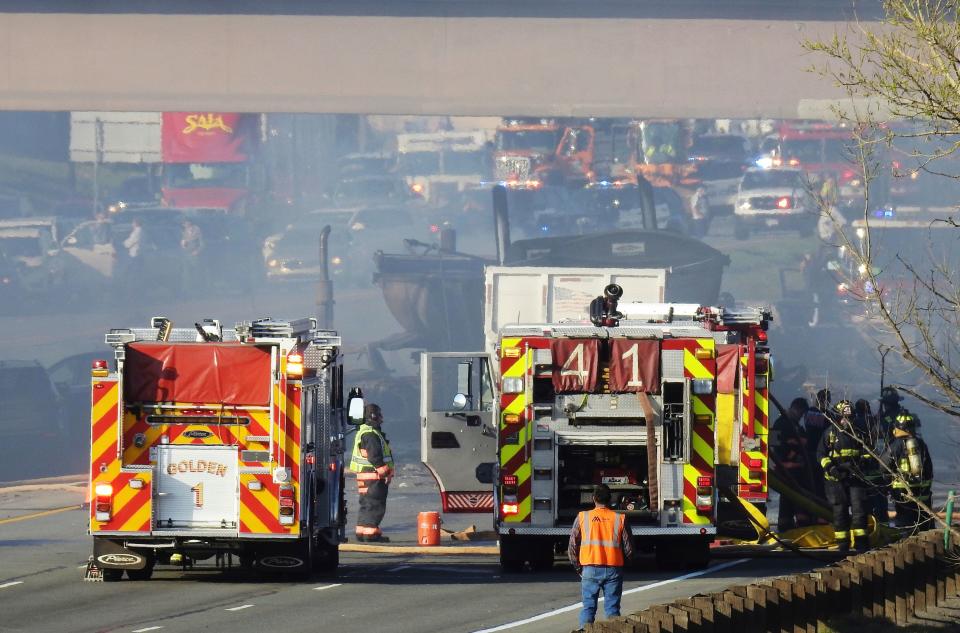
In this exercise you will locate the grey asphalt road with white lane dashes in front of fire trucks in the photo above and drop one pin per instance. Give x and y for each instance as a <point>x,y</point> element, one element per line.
<point>41,560</point>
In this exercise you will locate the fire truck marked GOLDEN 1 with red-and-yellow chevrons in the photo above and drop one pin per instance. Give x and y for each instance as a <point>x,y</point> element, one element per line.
<point>212,442</point>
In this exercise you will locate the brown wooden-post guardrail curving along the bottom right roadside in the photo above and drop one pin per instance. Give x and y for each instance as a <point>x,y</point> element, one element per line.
<point>892,583</point>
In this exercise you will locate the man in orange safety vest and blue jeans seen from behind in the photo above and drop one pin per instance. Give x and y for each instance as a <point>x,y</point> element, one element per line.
<point>600,545</point>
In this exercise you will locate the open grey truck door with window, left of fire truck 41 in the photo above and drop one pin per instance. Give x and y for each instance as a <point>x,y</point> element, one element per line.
<point>458,440</point>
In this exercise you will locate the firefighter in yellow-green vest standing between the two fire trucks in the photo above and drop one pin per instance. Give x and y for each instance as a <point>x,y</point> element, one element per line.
<point>372,462</point>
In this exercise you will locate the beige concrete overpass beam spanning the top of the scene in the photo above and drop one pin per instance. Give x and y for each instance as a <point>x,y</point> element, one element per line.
<point>689,58</point>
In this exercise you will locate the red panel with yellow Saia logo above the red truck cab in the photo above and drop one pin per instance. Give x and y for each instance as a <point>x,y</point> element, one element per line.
<point>207,137</point>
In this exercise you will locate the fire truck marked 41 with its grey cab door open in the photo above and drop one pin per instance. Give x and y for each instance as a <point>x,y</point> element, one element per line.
<point>664,403</point>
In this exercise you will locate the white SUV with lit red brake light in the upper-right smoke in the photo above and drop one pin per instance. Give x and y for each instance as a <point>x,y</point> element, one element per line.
<point>774,199</point>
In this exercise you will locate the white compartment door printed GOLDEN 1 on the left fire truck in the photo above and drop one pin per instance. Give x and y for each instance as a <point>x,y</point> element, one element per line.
<point>196,489</point>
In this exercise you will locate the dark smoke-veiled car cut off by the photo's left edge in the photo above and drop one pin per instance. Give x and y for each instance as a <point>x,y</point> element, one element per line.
<point>33,434</point>
